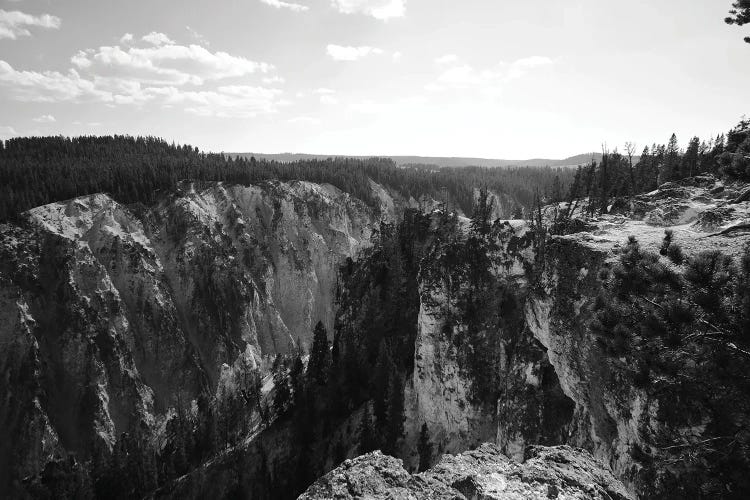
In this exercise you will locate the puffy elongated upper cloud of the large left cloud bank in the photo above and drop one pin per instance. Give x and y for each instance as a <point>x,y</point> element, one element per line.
<point>165,64</point>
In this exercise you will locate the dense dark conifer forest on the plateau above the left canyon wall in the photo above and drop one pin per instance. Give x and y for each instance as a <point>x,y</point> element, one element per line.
<point>39,170</point>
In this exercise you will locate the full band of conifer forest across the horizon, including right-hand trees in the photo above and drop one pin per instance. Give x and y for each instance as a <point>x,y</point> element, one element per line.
<point>39,170</point>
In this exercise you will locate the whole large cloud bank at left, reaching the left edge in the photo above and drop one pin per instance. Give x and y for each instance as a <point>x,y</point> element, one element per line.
<point>163,73</point>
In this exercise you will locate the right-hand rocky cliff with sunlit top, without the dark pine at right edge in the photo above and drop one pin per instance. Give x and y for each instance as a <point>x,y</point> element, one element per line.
<point>557,385</point>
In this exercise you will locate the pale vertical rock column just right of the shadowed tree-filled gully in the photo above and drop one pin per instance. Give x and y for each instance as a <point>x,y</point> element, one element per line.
<point>526,404</point>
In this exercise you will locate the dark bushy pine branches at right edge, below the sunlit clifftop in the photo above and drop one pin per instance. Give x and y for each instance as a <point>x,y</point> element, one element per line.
<point>679,328</point>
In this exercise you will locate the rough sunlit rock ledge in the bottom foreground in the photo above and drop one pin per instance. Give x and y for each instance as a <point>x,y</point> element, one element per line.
<point>558,472</point>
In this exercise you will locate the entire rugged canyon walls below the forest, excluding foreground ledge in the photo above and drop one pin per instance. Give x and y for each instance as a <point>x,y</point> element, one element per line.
<point>133,332</point>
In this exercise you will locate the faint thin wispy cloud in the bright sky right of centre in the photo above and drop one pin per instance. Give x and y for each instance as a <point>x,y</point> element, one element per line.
<point>464,76</point>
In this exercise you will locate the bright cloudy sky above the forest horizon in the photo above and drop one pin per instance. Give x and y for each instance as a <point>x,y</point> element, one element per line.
<point>508,79</point>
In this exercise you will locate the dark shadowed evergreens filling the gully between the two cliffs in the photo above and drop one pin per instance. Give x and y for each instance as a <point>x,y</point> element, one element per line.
<point>363,372</point>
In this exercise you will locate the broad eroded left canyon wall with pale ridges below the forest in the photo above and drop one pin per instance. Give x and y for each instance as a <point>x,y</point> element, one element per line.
<point>111,317</point>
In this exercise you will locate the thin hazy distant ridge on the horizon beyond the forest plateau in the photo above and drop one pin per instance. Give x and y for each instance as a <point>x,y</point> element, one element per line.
<point>441,161</point>
